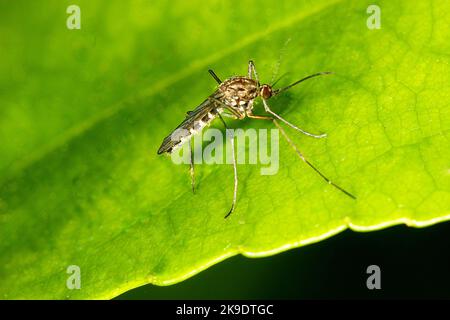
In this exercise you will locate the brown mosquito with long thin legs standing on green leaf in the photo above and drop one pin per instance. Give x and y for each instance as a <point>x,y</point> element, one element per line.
<point>234,98</point>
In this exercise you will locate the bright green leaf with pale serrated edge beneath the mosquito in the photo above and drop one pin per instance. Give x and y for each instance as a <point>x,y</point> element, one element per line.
<point>84,112</point>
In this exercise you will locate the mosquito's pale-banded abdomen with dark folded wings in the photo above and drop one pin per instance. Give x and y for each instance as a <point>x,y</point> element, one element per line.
<point>195,120</point>
